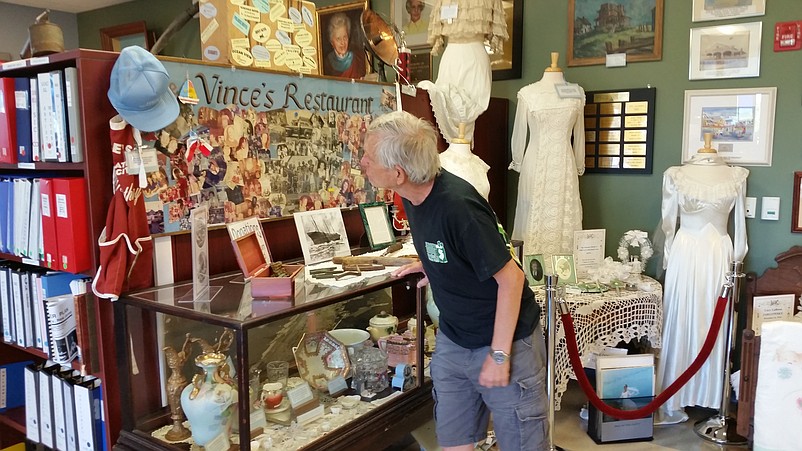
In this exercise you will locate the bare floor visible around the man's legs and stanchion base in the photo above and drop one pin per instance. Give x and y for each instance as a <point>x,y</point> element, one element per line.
<point>570,432</point>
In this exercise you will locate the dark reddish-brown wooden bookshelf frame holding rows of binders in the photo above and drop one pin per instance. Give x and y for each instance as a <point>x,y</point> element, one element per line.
<point>93,70</point>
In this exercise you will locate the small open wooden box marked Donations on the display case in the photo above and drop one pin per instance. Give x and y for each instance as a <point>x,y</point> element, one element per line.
<point>256,268</point>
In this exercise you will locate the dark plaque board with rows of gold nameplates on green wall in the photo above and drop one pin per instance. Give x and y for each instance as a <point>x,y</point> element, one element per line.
<point>619,131</point>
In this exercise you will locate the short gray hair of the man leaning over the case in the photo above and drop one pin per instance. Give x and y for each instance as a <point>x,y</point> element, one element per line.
<point>407,141</point>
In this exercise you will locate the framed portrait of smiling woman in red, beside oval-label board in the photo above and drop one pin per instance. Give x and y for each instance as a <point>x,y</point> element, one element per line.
<point>341,41</point>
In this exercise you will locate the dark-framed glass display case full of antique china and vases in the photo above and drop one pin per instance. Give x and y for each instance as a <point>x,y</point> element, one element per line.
<point>245,373</point>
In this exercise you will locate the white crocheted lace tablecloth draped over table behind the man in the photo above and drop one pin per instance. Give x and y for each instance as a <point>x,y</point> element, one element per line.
<point>604,319</point>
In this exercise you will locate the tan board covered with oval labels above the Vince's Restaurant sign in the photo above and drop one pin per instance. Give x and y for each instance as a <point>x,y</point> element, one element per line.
<point>279,35</point>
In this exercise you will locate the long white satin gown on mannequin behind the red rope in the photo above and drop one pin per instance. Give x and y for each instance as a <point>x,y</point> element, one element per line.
<point>699,195</point>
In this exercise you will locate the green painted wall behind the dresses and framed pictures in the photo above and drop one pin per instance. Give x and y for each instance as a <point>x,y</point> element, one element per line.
<point>615,202</point>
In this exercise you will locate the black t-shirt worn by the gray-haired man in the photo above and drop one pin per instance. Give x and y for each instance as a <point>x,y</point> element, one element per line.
<point>461,246</point>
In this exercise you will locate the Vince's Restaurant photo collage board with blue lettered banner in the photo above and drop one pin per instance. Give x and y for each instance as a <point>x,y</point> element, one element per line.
<point>257,143</point>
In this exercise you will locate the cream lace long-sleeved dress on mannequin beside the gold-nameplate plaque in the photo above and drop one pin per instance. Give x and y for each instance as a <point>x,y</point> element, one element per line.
<point>549,209</point>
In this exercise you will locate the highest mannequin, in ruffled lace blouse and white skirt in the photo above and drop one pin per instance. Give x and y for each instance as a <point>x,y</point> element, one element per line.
<point>462,89</point>
